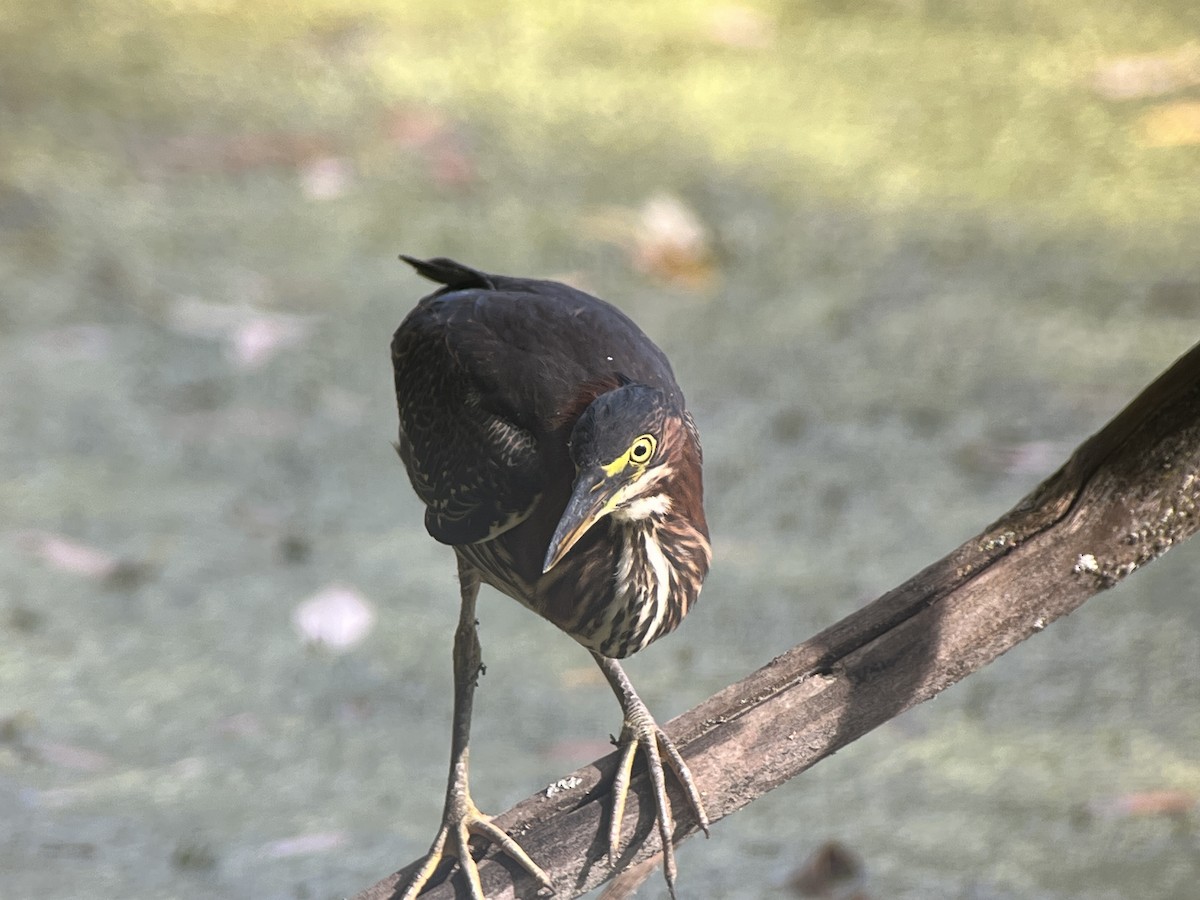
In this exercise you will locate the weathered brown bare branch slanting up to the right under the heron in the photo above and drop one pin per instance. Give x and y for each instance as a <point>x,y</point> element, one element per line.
<point>1124,499</point>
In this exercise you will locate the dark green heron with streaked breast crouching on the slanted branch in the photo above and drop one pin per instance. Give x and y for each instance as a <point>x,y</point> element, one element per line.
<point>550,442</point>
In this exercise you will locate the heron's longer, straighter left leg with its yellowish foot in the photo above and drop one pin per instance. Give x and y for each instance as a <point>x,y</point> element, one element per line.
<point>461,819</point>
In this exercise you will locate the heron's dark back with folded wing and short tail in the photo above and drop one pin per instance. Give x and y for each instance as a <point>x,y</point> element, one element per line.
<point>491,373</point>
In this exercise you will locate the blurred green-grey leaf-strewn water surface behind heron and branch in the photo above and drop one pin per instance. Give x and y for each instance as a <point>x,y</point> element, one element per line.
<point>905,255</point>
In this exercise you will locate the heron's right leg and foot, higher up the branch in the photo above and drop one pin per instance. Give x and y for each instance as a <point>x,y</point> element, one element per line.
<point>641,731</point>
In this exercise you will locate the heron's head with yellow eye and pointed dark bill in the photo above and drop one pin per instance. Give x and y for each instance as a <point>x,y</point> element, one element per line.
<point>627,448</point>
